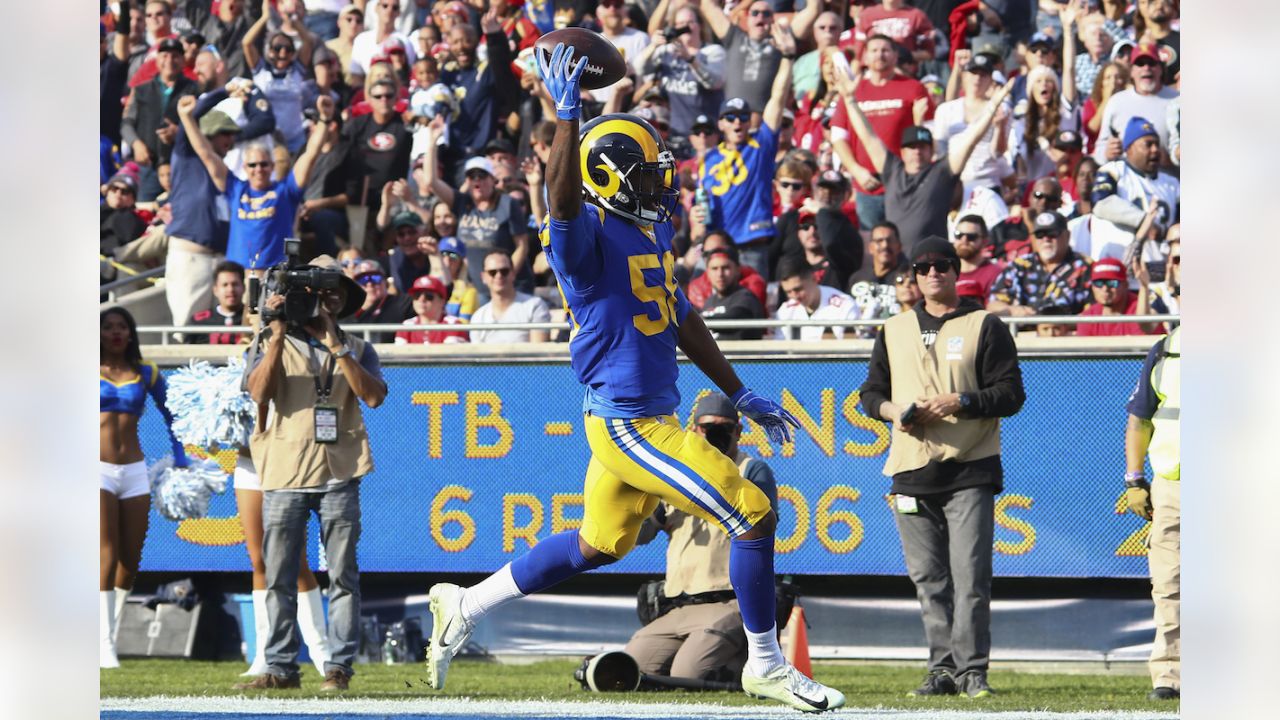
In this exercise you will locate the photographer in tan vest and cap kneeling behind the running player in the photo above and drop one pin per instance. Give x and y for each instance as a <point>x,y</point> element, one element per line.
<point>698,631</point>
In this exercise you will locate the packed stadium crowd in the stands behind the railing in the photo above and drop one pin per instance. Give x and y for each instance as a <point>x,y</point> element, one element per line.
<point>819,144</point>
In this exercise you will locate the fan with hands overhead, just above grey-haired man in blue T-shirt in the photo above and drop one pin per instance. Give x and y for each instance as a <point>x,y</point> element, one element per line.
<point>282,74</point>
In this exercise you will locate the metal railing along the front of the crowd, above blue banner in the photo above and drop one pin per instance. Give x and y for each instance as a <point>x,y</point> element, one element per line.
<point>368,330</point>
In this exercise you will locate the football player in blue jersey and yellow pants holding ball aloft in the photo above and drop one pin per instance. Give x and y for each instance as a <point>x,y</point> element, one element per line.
<point>615,266</point>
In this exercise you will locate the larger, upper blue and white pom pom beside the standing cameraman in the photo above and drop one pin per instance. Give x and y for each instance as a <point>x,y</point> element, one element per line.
<point>209,409</point>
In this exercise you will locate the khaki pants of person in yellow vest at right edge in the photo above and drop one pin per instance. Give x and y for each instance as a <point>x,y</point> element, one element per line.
<point>1165,566</point>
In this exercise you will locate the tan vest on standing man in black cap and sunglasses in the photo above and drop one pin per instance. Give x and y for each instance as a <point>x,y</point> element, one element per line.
<point>918,372</point>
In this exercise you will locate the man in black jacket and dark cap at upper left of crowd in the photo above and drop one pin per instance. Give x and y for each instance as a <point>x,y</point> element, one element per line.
<point>152,119</point>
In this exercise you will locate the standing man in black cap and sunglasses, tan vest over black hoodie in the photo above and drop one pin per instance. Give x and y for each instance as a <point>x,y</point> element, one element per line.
<point>944,375</point>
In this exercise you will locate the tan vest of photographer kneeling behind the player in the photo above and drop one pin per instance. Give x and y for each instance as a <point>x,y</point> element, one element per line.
<point>698,552</point>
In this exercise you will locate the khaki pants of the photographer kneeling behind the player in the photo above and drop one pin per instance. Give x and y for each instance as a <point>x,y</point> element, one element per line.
<point>705,642</point>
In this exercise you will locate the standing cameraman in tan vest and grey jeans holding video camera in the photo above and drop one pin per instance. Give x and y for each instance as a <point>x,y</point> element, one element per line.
<point>312,454</point>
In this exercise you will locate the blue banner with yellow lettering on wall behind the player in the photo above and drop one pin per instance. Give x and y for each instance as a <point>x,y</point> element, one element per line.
<point>476,463</point>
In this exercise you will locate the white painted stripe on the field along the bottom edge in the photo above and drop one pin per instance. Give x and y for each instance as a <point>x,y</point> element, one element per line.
<point>465,708</point>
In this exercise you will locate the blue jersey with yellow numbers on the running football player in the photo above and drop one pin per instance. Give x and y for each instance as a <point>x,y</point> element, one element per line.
<point>620,288</point>
